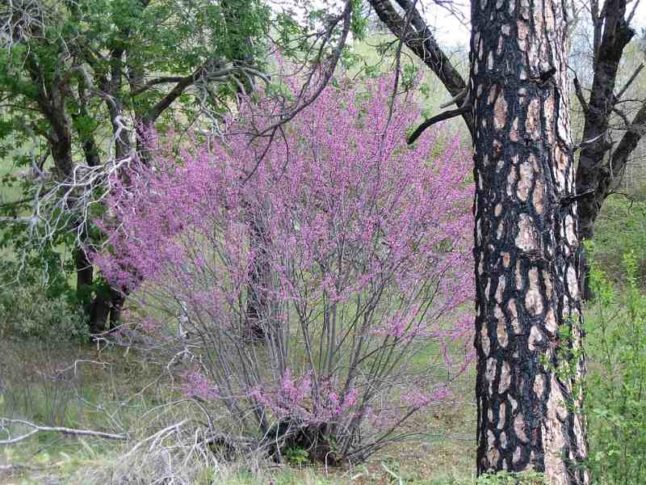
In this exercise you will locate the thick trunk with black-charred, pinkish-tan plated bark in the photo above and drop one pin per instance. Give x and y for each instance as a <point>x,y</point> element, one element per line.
<point>528,316</point>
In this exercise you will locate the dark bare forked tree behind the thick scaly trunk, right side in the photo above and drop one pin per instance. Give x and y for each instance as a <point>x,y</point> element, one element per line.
<point>614,117</point>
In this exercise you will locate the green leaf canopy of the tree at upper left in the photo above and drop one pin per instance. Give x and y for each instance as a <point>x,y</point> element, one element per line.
<point>70,72</point>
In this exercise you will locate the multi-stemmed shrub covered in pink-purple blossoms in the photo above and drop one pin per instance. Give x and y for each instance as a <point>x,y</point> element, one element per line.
<point>343,250</point>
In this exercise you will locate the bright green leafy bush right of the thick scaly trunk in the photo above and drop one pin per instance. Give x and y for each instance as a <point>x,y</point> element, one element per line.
<point>616,381</point>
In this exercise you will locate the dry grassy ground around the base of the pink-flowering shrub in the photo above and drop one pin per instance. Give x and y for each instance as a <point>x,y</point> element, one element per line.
<point>115,390</point>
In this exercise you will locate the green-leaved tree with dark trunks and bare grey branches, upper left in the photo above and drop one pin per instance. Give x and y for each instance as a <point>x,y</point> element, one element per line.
<point>80,79</point>
